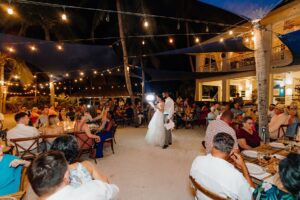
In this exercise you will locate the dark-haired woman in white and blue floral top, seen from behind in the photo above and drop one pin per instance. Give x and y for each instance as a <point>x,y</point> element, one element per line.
<point>80,172</point>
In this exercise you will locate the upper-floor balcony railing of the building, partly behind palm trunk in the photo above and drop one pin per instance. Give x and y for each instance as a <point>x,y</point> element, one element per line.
<point>281,56</point>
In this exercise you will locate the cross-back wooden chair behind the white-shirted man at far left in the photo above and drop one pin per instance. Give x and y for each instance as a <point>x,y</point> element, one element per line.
<point>26,153</point>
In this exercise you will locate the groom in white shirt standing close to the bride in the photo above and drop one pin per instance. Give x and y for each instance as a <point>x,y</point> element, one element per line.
<point>168,115</point>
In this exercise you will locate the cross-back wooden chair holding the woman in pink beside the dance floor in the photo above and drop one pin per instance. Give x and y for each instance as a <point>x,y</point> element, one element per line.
<point>86,145</point>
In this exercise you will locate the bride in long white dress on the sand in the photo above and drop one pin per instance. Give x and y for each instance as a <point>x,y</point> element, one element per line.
<point>156,130</point>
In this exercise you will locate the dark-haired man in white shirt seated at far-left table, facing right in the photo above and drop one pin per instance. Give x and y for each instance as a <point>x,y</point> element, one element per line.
<point>22,130</point>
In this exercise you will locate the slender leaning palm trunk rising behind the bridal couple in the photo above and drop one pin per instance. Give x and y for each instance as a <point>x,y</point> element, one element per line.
<point>125,59</point>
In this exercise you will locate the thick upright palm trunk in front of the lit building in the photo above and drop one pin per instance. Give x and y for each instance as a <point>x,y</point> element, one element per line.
<point>262,53</point>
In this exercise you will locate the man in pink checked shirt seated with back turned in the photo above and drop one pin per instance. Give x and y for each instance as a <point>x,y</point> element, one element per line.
<point>217,126</point>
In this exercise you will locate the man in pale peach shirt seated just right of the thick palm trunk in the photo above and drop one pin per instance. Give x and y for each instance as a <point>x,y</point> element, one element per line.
<point>280,118</point>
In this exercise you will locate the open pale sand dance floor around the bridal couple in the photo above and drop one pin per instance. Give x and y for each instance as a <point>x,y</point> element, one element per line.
<point>143,172</point>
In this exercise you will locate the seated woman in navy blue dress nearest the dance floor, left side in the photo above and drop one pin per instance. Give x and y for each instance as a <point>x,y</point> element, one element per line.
<point>105,133</point>
